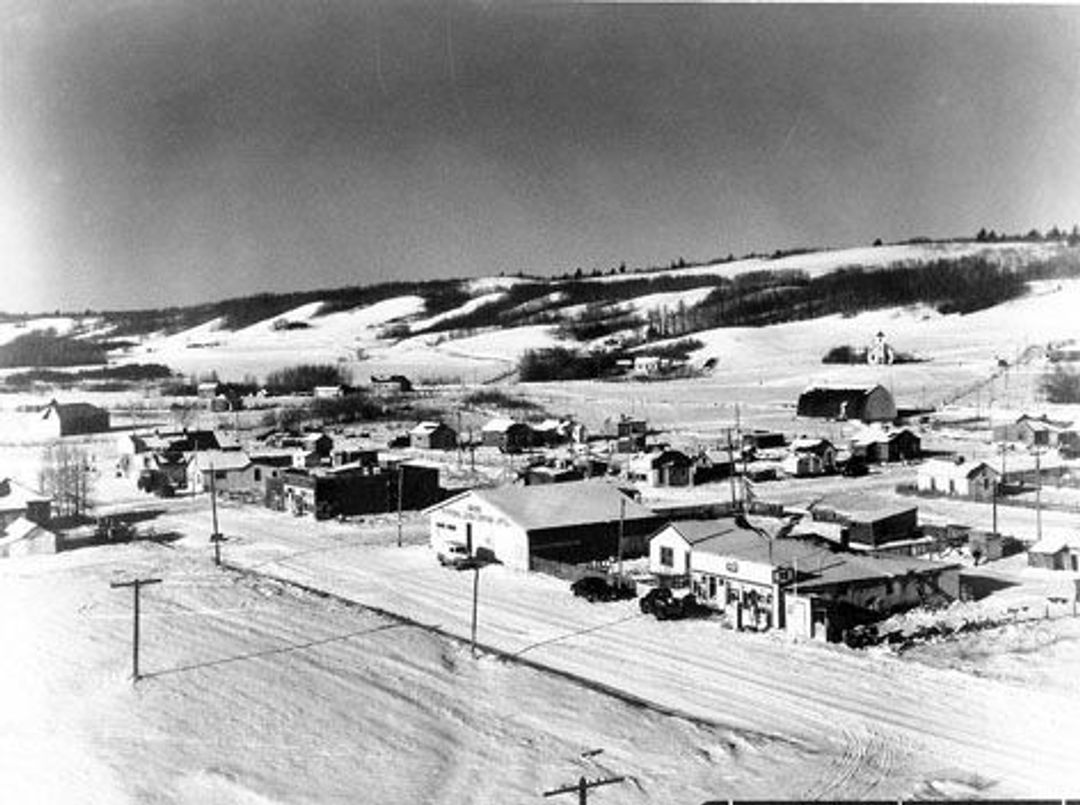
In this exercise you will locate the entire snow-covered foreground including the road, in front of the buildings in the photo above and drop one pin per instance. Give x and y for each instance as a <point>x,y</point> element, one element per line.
<point>259,692</point>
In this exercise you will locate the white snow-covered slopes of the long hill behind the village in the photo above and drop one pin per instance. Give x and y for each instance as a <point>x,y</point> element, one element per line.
<point>498,318</point>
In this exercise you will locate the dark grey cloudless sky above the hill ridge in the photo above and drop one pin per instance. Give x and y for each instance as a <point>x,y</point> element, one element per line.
<point>174,152</point>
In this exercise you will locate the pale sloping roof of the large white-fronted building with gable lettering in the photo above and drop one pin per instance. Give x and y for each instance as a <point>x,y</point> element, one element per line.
<point>557,506</point>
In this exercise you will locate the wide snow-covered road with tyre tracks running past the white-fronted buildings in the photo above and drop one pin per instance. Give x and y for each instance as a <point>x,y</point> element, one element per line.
<point>881,727</point>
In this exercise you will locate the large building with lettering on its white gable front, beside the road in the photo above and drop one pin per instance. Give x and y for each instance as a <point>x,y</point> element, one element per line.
<point>571,524</point>
